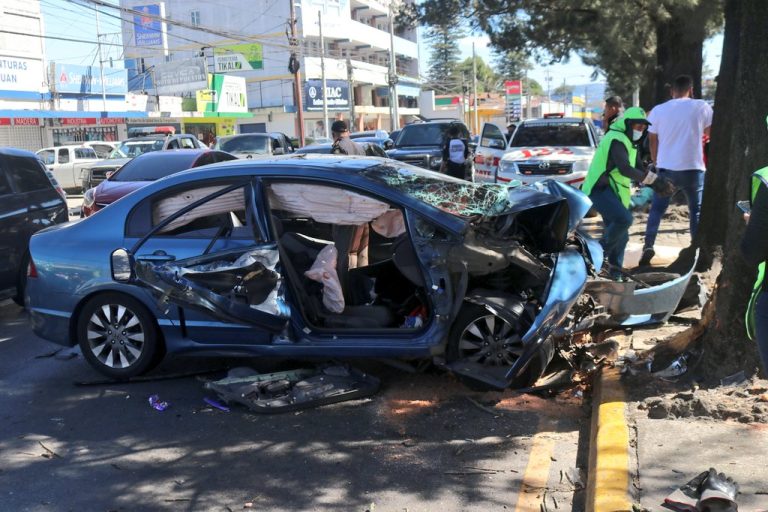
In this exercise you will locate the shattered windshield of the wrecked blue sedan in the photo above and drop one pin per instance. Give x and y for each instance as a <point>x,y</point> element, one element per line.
<point>452,195</point>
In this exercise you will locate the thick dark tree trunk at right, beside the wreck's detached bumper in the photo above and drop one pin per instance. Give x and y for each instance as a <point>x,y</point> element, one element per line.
<point>740,146</point>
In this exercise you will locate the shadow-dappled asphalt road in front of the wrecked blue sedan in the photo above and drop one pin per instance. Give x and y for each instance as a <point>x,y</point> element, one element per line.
<point>424,443</point>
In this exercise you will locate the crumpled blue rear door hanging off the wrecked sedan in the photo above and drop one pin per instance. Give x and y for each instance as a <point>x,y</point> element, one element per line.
<point>228,270</point>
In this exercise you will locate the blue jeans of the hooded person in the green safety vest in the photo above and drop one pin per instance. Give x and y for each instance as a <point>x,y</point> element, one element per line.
<point>616,221</point>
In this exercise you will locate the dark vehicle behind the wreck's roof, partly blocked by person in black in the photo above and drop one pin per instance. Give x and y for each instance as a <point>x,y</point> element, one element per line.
<point>420,144</point>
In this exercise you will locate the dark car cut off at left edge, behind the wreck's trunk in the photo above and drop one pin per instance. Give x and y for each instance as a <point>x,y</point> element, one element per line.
<point>29,202</point>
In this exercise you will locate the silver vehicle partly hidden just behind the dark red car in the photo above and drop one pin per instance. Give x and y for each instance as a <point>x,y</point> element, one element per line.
<point>97,172</point>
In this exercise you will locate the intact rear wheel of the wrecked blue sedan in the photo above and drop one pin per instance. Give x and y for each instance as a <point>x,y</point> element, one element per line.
<point>118,336</point>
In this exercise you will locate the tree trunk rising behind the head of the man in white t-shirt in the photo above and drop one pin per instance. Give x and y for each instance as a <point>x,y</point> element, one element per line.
<point>679,47</point>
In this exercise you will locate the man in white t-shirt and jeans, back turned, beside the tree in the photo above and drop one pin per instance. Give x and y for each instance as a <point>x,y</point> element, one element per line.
<point>676,139</point>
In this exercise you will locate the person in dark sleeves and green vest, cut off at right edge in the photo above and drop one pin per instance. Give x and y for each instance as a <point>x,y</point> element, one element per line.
<point>754,247</point>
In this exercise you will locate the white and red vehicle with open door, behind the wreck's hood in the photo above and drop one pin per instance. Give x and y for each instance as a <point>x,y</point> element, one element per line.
<point>559,148</point>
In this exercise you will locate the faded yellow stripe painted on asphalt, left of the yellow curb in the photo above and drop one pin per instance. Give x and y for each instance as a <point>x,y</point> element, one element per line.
<point>537,472</point>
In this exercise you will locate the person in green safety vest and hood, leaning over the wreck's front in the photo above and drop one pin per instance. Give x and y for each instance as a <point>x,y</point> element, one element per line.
<point>609,180</point>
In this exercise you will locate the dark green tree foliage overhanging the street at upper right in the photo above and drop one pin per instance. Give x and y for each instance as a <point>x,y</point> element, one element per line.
<point>640,43</point>
